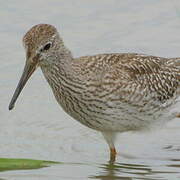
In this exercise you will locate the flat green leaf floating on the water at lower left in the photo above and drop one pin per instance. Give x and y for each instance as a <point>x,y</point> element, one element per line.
<point>21,164</point>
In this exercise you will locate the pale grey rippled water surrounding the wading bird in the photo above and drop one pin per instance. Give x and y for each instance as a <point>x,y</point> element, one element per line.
<point>38,128</point>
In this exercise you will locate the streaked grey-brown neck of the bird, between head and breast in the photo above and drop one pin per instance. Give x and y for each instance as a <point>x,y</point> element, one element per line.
<point>61,76</point>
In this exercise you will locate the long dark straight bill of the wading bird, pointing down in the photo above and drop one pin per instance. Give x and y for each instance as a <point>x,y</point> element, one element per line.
<point>28,71</point>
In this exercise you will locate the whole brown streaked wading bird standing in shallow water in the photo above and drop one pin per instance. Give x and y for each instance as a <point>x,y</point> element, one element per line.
<point>111,93</point>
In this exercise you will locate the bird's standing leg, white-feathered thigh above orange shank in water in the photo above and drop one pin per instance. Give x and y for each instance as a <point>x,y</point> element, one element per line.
<point>110,137</point>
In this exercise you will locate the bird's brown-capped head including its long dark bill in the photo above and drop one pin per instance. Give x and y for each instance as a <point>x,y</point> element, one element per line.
<point>39,42</point>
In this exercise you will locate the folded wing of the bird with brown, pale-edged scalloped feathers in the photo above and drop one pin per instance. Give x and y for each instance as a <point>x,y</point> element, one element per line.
<point>136,77</point>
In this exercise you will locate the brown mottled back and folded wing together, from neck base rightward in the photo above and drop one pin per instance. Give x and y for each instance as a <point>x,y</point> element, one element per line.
<point>130,77</point>
